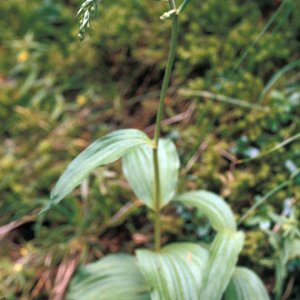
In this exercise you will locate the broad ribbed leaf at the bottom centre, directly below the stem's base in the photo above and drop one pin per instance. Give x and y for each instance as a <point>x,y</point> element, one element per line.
<point>174,273</point>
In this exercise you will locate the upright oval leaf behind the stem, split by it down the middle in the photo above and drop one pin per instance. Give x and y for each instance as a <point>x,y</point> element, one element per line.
<point>139,171</point>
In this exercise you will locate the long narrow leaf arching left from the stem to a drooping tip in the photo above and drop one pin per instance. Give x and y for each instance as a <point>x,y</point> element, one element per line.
<point>105,150</point>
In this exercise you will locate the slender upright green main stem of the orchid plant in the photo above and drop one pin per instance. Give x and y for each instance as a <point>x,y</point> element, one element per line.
<point>164,89</point>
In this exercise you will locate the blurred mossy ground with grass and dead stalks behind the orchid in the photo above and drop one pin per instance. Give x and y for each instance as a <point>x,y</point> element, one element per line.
<point>235,94</point>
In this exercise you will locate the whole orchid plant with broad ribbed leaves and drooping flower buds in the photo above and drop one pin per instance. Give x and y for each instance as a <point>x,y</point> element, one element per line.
<point>183,271</point>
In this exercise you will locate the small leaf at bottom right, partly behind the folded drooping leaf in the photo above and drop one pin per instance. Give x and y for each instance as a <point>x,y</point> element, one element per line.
<point>245,285</point>
